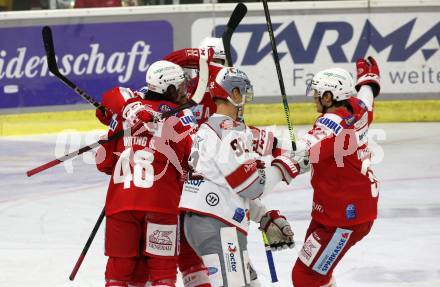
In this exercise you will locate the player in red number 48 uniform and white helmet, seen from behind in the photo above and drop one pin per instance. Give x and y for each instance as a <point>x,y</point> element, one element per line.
<point>144,190</point>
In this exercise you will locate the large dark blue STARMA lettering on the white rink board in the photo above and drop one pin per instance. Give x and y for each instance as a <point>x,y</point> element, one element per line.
<point>399,42</point>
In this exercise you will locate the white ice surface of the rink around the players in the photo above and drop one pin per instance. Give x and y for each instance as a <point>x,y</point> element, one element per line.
<point>45,220</point>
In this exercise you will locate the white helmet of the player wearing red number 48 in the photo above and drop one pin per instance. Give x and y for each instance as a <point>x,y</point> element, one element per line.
<point>162,74</point>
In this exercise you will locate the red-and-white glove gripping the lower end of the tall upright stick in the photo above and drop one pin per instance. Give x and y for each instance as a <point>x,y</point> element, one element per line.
<point>291,165</point>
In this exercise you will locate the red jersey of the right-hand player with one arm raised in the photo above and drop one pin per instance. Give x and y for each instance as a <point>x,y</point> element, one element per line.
<point>345,188</point>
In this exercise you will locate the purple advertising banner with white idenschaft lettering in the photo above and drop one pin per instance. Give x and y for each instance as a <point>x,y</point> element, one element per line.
<point>95,56</point>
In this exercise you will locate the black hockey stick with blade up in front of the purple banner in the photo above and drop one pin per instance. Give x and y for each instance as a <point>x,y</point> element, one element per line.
<point>53,67</point>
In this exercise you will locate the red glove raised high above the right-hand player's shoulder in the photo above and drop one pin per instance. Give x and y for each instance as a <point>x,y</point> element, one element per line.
<point>368,74</point>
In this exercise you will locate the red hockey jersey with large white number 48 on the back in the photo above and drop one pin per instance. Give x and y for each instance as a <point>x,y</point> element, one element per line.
<point>146,168</point>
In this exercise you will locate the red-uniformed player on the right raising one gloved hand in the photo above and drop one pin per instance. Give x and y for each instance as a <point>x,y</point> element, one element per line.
<point>345,189</point>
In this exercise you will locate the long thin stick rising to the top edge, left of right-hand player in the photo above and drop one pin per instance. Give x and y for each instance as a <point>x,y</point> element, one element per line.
<point>280,75</point>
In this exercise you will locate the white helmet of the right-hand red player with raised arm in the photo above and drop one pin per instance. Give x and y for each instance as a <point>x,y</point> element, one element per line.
<point>336,81</point>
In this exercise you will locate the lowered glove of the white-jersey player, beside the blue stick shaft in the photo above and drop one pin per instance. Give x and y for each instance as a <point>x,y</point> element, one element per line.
<point>278,230</point>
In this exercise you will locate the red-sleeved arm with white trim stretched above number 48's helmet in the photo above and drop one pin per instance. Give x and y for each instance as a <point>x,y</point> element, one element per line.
<point>189,57</point>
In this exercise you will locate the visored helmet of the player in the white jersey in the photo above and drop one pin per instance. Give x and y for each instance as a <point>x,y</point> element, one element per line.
<point>227,80</point>
